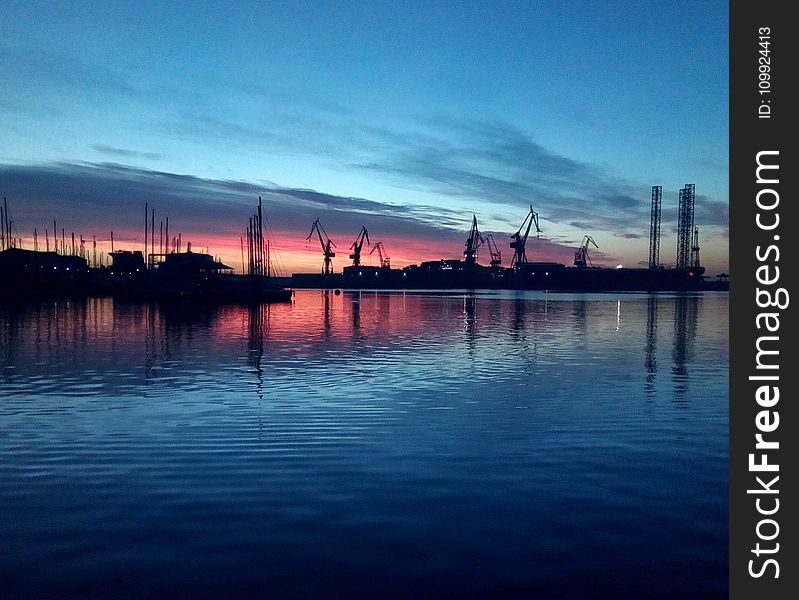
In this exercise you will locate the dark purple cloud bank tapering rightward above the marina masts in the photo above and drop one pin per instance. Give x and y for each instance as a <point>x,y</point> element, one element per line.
<point>99,197</point>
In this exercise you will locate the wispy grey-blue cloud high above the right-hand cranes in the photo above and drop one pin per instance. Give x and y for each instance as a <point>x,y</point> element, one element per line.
<point>498,163</point>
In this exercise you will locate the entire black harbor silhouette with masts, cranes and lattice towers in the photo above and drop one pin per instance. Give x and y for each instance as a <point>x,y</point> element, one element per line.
<point>163,269</point>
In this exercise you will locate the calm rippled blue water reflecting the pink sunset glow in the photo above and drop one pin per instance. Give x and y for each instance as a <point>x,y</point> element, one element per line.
<point>409,445</point>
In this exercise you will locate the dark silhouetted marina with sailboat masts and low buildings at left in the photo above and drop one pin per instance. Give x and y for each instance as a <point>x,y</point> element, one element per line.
<point>170,273</point>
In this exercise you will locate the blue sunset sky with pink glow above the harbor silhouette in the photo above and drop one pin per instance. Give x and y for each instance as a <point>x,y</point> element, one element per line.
<point>405,117</point>
